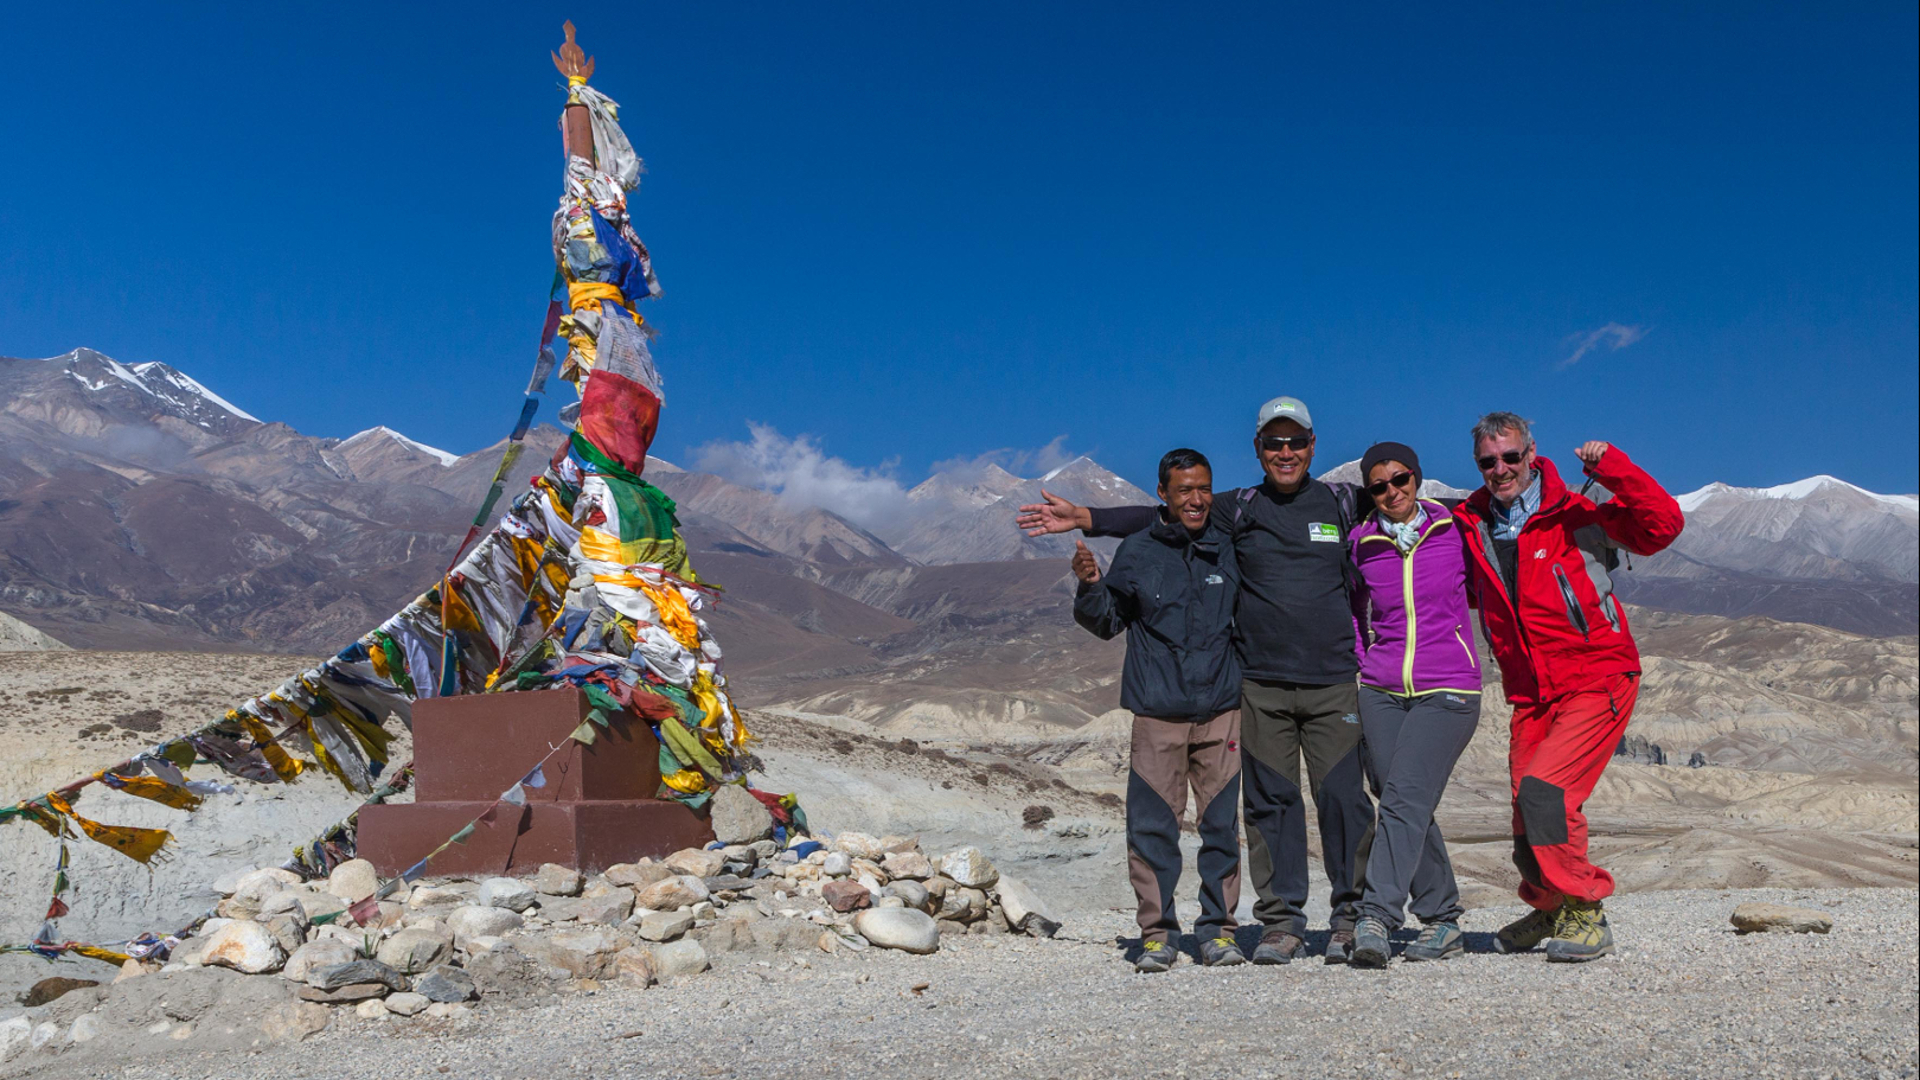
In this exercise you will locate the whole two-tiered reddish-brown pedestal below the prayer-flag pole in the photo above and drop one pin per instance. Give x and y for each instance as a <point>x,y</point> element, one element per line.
<point>594,812</point>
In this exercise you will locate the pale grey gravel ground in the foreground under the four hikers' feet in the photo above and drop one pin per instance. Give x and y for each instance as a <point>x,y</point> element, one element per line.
<point>1685,996</point>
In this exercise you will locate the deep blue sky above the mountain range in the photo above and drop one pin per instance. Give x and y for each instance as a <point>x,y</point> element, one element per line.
<point>930,232</point>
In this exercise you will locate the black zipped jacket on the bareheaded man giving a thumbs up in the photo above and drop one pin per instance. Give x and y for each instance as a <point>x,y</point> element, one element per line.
<point>1174,595</point>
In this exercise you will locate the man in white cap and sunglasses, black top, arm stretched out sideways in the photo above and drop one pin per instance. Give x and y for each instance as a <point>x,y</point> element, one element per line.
<point>1295,635</point>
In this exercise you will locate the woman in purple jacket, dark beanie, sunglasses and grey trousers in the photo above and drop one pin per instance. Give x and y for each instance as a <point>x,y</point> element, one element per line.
<point>1420,700</point>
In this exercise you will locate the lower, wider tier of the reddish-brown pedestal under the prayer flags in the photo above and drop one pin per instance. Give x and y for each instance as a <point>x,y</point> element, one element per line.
<point>590,835</point>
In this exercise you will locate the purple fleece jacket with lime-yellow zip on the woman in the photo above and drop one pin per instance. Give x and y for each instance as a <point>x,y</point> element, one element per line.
<point>1426,587</point>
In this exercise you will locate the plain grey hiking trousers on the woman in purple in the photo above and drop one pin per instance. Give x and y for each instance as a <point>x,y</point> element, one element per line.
<point>1412,747</point>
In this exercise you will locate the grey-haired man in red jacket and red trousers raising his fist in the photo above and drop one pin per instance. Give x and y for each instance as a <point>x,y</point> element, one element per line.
<point>1543,558</point>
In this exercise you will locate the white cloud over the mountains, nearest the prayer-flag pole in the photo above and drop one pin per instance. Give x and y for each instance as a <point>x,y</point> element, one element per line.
<point>804,476</point>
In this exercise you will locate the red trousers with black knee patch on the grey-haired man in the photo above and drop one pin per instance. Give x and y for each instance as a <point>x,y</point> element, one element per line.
<point>1556,756</point>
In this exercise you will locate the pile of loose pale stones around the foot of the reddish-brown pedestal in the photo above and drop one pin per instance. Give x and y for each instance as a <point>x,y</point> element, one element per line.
<point>439,948</point>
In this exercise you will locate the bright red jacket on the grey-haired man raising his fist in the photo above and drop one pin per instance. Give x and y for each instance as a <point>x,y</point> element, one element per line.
<point>1568,631</point>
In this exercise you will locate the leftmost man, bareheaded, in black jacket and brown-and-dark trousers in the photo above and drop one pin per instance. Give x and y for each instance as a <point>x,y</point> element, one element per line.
<point>1172,589</point>
